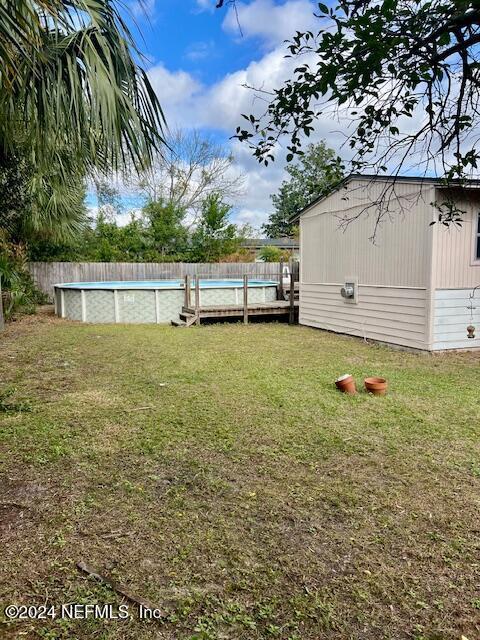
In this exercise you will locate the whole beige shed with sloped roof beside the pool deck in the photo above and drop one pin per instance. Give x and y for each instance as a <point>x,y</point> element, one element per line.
<point>404,282</point>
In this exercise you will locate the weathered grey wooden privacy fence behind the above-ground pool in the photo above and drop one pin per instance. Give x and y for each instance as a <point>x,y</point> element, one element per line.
<point>46,274</point>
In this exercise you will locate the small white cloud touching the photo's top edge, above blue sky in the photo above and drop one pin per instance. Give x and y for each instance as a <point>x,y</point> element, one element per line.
<point>272,23</point>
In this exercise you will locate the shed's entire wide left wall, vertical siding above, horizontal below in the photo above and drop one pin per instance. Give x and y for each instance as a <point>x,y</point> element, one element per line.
<point>393,273</point>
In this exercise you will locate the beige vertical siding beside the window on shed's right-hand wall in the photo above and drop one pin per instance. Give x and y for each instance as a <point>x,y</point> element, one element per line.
<point>453,265</point>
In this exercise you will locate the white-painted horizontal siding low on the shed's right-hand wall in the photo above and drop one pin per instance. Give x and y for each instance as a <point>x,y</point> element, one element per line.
<point>452,318</point>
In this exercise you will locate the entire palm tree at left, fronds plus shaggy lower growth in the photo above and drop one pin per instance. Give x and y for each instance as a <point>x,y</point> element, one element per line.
<point>73,98</point>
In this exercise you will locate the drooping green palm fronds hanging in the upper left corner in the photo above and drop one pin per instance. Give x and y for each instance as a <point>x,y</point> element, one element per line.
<point>69,76</point>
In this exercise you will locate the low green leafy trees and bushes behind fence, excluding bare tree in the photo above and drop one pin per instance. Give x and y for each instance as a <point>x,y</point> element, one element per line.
<point>158,233</point>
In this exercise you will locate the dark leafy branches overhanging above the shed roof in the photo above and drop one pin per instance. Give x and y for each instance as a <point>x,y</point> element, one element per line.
<point>405,72</point>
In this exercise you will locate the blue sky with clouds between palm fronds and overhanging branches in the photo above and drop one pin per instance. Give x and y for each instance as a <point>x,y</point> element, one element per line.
<point>198,58</point>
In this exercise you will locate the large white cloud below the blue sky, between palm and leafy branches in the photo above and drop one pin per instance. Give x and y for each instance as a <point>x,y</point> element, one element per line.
<point>190,104</point>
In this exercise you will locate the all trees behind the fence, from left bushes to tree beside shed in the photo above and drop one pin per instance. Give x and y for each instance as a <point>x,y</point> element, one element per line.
<point>186,217</point>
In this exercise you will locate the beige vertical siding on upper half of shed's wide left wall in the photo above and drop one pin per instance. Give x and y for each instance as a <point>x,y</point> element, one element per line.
<point>401,253</point>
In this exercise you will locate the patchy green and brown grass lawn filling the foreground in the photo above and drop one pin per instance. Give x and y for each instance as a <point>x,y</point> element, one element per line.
<point>217,472</point>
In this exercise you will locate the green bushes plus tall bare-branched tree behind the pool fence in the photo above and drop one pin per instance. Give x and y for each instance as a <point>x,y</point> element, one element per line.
<point>186,216</point>
